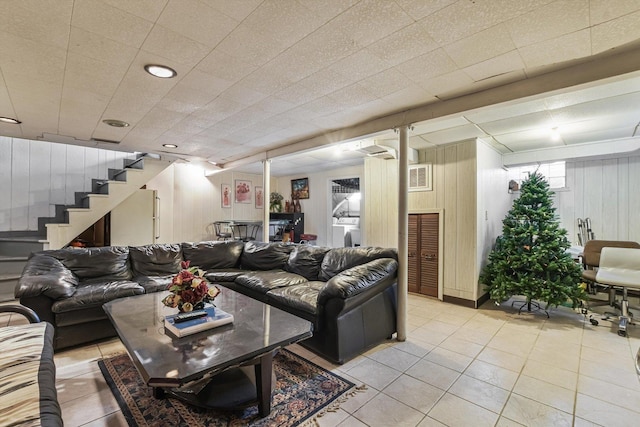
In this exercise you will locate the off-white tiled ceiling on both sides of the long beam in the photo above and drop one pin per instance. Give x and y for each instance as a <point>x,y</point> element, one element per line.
<point>265,73</point>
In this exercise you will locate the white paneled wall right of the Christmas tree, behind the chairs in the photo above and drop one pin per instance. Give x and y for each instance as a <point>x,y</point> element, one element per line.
<point>606,191</point>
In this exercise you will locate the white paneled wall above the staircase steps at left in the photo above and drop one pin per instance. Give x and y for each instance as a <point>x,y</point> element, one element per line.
<point>37,175</point>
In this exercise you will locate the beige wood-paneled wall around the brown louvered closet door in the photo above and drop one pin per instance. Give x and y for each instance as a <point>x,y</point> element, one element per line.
<point>454,193</point>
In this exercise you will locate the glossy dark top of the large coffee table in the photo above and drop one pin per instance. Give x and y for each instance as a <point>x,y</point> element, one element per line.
<point>163,360</point>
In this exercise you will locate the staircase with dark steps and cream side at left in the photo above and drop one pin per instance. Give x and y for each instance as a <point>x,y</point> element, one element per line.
<point>71,220</point>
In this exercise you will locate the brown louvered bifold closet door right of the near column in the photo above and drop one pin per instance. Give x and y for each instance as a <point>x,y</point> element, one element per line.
<point>423,254</point>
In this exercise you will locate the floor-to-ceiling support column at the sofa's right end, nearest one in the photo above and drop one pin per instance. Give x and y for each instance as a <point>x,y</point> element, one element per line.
<point>403,231</point>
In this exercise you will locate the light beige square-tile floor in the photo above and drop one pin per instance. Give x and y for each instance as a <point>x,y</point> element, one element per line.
<point>458,367</point>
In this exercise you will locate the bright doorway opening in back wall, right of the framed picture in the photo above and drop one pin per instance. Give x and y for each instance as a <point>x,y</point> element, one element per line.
<point>345,212</point>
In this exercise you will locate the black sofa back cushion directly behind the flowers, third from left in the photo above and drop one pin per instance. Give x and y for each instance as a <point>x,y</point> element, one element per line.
<point>212,255</point>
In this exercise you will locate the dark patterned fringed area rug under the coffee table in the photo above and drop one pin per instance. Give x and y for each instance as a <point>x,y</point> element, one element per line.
<point>302,392</point>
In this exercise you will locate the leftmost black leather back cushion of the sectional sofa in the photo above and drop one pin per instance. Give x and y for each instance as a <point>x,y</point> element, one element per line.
<point>108,262</point>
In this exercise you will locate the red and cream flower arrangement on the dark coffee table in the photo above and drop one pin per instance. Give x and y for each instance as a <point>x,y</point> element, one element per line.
<point>190,290</point>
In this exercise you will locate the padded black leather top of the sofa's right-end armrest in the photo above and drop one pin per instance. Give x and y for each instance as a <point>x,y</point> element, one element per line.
<point>358,279</point>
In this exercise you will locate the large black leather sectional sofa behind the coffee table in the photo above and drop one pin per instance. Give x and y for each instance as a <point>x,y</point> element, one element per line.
<point>348,293</point>
